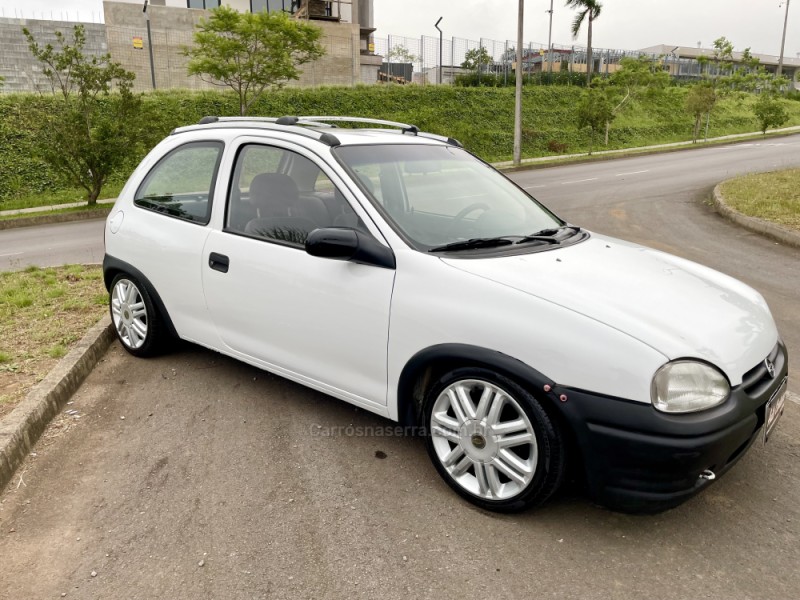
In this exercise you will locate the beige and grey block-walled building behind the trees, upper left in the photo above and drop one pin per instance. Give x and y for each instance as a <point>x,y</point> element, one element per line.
<point>346,24</point>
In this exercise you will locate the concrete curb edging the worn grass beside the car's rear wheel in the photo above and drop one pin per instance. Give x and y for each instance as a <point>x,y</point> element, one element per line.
<point>24,425</point>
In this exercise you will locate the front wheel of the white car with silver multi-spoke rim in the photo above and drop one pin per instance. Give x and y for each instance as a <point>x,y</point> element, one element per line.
<point>492,441</point>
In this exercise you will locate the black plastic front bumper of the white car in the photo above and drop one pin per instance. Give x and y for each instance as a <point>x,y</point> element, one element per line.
<point>638,459</point>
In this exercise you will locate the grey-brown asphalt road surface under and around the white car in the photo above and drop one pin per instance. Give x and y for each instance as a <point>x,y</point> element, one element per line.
<point>219,464</point>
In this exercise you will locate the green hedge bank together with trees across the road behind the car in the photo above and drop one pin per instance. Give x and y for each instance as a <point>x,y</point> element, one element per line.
<point>89,134</point>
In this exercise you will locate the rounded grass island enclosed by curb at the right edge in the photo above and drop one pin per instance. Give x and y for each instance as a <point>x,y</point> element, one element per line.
<point>773,196</point>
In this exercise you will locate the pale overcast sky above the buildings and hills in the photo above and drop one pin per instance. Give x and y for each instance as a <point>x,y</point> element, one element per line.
<point>623,24</point>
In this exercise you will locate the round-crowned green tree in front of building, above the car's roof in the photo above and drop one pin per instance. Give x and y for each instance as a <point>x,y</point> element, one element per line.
<point>251,52</point>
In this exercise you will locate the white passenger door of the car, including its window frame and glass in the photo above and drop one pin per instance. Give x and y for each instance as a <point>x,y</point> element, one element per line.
<point>319,321</point>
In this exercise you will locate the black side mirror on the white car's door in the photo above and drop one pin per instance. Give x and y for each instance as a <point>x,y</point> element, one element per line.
<point>343,243</point>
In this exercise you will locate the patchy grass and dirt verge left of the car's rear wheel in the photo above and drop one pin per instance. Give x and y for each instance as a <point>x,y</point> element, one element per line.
<point>43,312</point>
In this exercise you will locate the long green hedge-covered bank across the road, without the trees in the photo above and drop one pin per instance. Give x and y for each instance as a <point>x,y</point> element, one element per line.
<point>482,118</point>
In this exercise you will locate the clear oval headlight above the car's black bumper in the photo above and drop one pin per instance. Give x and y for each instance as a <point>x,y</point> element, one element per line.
<point>688,386</point>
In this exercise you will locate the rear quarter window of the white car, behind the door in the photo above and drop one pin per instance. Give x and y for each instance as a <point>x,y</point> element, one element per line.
<point>181,184</point>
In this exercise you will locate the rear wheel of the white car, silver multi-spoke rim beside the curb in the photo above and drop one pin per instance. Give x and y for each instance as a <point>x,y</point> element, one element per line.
<point>138,324</point>
